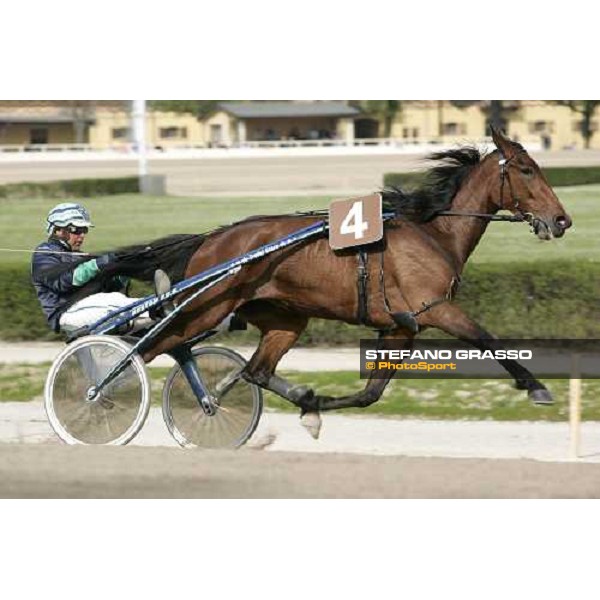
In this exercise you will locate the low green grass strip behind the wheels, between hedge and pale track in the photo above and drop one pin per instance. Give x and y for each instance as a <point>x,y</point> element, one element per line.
<point>416,398</point>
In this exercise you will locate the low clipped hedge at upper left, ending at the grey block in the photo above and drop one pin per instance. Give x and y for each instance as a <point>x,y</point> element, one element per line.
<point>72,188</point>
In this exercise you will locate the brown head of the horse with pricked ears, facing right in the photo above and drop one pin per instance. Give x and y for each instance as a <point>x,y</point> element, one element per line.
<point>523,190</point>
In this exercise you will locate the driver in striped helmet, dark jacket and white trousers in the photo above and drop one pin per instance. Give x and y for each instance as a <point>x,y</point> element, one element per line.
<point>67,226</point>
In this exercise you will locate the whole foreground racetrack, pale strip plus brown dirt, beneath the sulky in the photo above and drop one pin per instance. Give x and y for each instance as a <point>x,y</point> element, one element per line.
<point>356,457</point>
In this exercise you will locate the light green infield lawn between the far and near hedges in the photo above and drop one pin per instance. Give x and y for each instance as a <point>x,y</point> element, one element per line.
<point>127,219</point>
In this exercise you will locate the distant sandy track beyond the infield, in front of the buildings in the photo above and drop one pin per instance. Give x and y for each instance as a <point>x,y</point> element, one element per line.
<point>250,176</point>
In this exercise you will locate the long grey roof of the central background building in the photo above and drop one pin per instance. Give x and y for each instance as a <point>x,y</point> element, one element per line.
<point>253,110</point>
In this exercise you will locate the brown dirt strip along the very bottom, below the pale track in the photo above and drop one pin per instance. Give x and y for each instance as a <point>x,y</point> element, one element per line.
<point>53,471</point>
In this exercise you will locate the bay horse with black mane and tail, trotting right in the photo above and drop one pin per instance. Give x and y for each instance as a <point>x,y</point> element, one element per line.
<point>419,261</point>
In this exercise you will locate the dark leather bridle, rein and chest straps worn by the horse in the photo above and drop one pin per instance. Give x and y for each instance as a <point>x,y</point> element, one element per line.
<point>408,319</point>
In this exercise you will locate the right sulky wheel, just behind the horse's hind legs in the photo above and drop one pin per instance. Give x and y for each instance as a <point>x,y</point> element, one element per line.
<point>238,403</point>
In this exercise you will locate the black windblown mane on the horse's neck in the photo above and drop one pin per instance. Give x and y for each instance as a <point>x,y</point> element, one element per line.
<point>441,184</point>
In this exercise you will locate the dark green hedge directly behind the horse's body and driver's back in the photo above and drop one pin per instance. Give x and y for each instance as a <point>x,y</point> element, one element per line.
<point>558,299</point>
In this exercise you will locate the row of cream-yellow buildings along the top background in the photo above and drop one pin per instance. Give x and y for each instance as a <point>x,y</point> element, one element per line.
<point>107,124</point>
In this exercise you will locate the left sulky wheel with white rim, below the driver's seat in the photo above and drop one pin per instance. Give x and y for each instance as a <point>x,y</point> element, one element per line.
<point>117,414</point>
